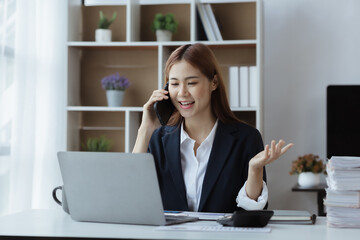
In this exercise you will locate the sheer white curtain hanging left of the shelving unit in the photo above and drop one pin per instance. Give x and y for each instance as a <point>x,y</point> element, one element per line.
<point>38,130</point>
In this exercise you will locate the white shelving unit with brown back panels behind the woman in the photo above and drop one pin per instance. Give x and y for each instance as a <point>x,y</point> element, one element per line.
<point>135,54</point>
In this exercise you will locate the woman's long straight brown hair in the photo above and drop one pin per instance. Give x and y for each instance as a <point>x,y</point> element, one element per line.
<point>202,57</point>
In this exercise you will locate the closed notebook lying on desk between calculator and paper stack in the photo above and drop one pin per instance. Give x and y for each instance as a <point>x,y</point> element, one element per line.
<point>292,217</point>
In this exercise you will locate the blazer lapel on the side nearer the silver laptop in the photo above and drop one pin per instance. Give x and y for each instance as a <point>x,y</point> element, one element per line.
<point>171,143</point>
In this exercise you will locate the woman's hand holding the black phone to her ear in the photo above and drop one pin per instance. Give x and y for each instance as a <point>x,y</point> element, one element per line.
<point>149,118</point>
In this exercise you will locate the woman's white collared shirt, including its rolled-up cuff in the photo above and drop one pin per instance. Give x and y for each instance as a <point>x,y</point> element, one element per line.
<point>194,168</point>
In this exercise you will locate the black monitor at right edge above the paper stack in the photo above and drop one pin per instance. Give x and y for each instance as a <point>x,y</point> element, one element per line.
<point>343,120</point>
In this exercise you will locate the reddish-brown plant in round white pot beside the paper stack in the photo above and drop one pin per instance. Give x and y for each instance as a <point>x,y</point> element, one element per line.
<point>308,167</point>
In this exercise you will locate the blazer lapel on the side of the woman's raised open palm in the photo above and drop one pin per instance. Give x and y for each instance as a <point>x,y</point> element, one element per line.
<point>222,146</point>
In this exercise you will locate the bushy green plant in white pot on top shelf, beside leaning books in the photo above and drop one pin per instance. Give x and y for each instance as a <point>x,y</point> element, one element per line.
<point>164,26</point>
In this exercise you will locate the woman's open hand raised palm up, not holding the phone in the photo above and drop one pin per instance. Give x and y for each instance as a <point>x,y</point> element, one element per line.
<point>269,154</point>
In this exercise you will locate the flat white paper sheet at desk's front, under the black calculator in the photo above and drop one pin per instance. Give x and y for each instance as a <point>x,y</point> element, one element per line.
<point>202,228</point>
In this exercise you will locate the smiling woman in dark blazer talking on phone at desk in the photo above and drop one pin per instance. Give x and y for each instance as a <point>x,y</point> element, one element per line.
<point>206,159</point>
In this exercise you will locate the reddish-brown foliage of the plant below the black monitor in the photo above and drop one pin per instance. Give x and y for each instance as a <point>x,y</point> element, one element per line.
<point>307,163</point>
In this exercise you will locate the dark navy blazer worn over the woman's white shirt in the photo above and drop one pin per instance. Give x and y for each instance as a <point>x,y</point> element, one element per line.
<point>233,147</point>
